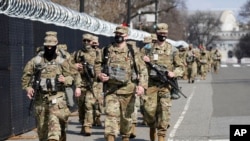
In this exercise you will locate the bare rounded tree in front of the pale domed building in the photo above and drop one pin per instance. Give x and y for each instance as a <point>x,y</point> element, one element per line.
<point>202,28</point>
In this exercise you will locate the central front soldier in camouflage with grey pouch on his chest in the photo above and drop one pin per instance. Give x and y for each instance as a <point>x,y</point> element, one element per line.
<point>120,84</point>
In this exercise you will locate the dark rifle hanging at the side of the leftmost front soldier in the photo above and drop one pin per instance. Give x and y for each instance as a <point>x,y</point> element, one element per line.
<point>36,86</point>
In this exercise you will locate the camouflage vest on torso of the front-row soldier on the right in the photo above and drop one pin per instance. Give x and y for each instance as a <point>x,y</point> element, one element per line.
<point>162,57</point>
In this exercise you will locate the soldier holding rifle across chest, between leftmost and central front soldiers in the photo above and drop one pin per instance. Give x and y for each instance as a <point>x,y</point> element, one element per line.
<point>84,60</point>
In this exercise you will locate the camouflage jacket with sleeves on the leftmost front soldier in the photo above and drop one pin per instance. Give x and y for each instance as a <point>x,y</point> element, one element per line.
<point>48,70</point>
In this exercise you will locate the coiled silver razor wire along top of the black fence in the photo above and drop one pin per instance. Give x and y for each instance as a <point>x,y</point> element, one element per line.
<point>51,13</point>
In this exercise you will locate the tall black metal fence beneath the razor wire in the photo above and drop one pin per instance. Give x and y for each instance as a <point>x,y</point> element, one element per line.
<point>18,41</point>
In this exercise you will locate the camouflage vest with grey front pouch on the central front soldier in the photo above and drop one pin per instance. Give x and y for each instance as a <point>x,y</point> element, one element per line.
<point>121,65</point>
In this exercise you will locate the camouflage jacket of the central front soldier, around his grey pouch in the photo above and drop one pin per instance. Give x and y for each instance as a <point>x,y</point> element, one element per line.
<point>122,58</point>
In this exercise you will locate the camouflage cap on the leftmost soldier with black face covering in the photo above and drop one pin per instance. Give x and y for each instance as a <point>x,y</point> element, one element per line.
<point>50,38</point>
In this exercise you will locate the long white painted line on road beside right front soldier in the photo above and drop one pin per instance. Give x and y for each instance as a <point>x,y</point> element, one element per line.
<point>180,119</point>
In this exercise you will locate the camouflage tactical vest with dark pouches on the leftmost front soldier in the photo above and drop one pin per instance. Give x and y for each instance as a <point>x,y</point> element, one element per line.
<point>49,73</point>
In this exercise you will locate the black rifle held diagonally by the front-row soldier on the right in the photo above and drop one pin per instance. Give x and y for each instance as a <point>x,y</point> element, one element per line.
<point>162,75</point>
